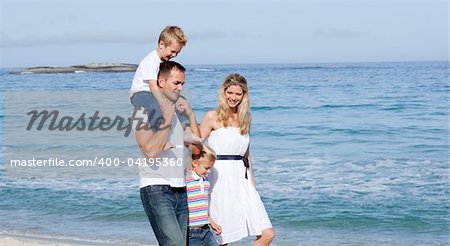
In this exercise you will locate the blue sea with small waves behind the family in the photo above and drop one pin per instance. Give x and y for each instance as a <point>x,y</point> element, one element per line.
<point>343,153</point>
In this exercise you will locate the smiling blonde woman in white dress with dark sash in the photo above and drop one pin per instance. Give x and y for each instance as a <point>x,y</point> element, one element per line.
<point>234,202</point>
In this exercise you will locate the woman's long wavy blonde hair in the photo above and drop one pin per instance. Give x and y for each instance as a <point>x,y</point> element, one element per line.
<point>224,111</point>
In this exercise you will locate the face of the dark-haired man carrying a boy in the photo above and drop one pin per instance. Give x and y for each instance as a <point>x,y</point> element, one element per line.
<point>172,85</point>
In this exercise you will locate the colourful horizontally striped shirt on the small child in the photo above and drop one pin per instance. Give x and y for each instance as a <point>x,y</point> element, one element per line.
<point>197,192</point>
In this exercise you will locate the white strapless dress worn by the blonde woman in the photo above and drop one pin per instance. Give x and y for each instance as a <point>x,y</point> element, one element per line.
<point>235,204</point>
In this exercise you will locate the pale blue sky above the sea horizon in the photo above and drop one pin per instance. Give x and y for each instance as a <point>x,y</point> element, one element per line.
<point>63,33</point>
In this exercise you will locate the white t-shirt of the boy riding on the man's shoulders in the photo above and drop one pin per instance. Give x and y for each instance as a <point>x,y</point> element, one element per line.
<point>147,70</point>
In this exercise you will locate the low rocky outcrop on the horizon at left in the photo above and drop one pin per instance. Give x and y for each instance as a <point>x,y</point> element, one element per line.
<point>91,67</point>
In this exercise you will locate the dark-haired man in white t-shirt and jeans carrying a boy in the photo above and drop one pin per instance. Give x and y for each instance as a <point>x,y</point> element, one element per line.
<point>162,172</point>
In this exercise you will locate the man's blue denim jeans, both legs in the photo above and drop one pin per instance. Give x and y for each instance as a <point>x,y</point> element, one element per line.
<point>167,210</point>
